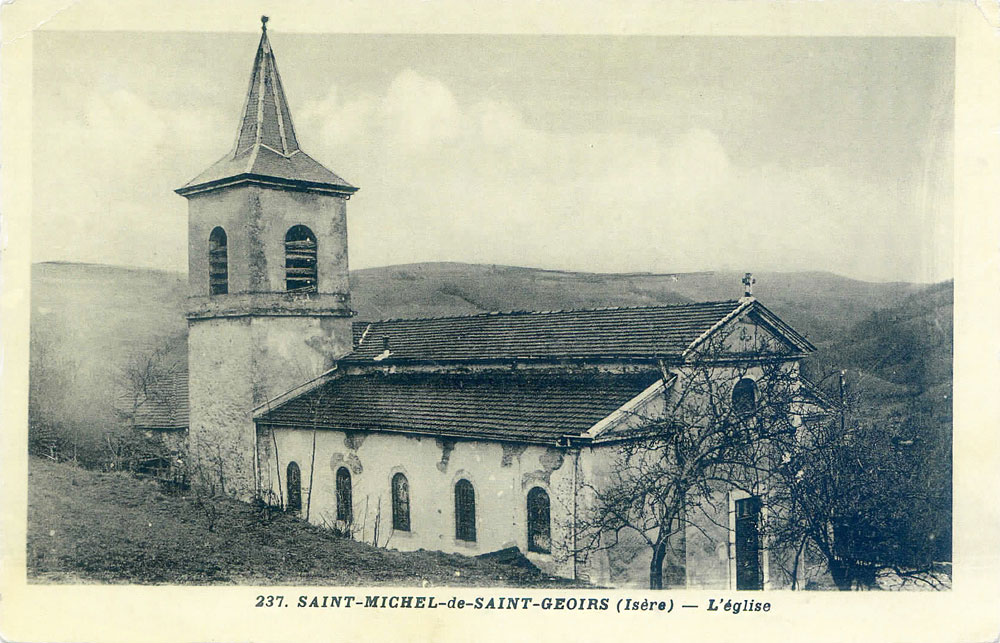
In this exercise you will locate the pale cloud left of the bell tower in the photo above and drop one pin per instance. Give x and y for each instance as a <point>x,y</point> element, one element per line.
<point>104,185</point>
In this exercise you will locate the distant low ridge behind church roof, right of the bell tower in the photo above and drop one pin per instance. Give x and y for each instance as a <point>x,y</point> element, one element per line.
<point>820,305</point>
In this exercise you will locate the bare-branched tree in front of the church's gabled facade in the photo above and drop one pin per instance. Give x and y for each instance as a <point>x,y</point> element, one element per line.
<point>722,414</point>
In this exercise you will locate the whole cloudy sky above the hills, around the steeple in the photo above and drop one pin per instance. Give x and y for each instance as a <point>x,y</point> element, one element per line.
<point>590,153</point>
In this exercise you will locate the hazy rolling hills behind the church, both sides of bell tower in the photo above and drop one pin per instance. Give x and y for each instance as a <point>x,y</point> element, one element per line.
<point>88,320</point>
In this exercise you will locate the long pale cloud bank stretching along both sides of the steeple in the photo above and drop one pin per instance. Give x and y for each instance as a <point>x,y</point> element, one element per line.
<point>445,177</point>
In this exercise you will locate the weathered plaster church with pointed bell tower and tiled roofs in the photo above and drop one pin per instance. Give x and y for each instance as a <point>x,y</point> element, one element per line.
<point>468,434</point>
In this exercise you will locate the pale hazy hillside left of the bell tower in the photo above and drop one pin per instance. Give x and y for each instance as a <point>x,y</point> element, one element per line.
<point>86,322</point>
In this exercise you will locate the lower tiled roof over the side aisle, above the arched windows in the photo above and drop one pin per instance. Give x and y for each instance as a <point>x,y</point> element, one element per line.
<point>505,406</point>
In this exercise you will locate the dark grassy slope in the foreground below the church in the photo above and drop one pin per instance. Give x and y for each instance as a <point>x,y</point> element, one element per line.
<point>85,526</point>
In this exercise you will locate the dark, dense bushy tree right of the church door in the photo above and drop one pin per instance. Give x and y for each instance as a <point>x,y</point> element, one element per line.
<point>855,495</point>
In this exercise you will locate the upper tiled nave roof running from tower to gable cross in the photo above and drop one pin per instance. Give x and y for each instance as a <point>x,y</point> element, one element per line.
<point>641,332</point>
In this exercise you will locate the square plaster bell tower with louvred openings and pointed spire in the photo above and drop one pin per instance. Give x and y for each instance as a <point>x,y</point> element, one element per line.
<point>269,299</point>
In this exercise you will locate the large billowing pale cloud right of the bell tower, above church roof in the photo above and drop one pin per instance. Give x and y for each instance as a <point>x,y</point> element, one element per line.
<point>475,181</point>
